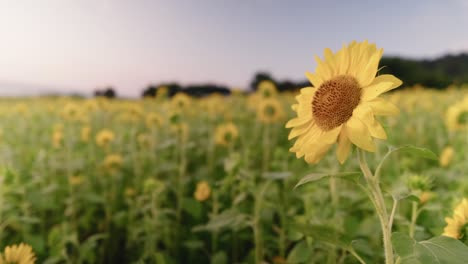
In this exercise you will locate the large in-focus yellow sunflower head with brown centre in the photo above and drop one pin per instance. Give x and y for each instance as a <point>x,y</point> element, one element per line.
<point>341,105</point>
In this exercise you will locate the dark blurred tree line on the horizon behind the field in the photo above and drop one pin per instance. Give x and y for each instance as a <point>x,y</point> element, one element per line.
<point>437,73</point>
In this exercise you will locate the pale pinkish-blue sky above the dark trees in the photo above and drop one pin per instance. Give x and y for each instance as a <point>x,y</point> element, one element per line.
<point>80,45</point>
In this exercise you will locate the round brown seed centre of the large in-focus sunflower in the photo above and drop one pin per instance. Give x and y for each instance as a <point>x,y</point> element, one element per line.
<point>335,100</point>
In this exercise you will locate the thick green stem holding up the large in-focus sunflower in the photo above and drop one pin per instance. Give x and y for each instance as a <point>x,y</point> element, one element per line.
<point>379,204</point>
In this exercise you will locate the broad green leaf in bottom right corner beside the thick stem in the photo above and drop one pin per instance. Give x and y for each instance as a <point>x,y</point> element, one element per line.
<point>436,250</point>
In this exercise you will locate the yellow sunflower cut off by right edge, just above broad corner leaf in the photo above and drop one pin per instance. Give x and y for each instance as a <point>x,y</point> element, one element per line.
<point>456,224</point>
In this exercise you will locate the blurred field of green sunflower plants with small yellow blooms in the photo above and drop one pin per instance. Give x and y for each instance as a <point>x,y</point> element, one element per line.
<point>211,180</point>
